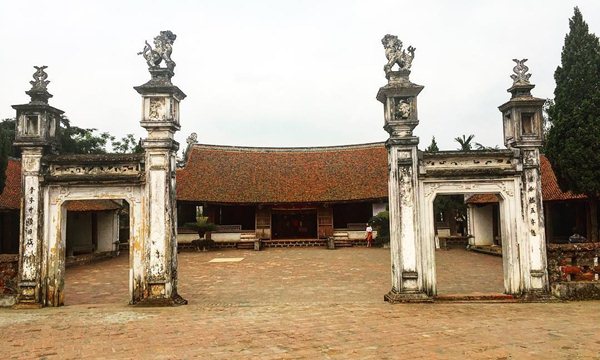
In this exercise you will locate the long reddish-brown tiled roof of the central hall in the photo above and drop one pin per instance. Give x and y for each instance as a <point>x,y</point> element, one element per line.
<point>226,174</point>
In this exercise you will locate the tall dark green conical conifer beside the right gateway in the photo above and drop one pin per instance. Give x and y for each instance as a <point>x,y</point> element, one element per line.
<point>573,145</point>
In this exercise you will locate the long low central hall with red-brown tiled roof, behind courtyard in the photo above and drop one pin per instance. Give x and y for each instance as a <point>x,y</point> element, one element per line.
<point>294,196</point>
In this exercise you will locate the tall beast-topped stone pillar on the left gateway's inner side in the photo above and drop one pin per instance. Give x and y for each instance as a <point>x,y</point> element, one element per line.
<point>160,117</point>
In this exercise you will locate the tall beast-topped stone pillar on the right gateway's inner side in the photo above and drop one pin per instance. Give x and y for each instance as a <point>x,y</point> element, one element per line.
<point>399,98</point>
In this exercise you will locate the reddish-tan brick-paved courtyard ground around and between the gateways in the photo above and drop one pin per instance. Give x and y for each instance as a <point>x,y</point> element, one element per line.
<point>298,304</point>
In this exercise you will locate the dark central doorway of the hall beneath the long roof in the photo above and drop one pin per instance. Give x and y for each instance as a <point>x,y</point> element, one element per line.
<point>294,224</point>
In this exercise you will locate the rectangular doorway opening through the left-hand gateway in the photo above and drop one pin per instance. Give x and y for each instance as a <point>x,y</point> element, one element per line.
<point>96,251</point>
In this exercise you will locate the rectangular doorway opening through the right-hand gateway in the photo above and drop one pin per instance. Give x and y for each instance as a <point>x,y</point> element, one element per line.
<point>468,259</point>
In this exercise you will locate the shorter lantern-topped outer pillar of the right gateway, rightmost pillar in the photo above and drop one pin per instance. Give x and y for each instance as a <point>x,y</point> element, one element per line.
<point>524,133</point>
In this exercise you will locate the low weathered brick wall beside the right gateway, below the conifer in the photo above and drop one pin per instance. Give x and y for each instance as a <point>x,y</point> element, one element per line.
<point>574,270</point>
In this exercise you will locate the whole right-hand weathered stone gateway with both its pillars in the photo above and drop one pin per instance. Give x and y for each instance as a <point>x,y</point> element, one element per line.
<point>416,178</point>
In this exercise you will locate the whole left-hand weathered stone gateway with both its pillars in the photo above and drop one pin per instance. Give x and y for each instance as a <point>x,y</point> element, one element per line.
<point>146,181</point>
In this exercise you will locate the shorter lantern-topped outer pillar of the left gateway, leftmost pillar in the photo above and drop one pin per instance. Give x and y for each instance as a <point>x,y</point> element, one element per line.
<point>36,124</point>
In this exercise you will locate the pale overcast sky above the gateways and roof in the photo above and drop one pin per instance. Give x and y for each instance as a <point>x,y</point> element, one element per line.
<point>285,73</point>
